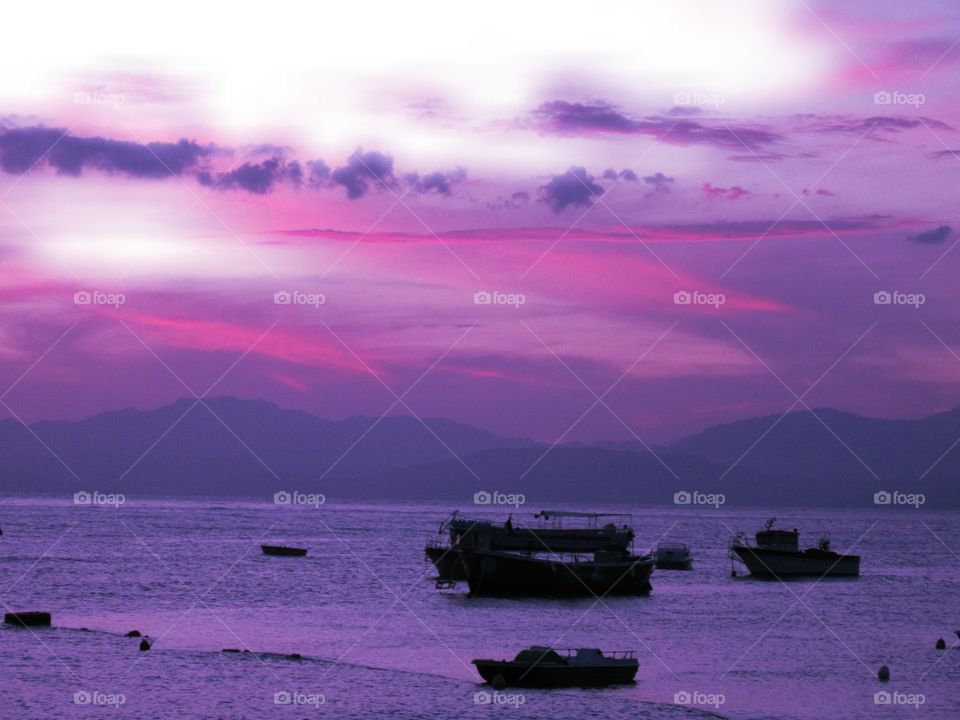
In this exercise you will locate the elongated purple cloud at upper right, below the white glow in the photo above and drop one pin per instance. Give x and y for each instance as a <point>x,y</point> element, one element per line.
<point>566,118</point>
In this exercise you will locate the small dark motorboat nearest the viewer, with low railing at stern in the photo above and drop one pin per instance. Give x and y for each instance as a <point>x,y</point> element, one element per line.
<point>544,667</point>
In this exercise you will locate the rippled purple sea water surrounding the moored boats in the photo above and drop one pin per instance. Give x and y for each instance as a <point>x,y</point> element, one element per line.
<point>377,639</point>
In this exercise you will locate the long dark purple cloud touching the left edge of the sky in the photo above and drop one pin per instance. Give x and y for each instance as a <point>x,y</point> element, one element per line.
<point>23,148</point>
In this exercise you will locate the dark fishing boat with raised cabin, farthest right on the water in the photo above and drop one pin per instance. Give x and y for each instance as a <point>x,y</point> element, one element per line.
<point>777,554</point>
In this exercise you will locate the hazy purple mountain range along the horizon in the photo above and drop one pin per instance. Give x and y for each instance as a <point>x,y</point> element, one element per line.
<point>255,448</point>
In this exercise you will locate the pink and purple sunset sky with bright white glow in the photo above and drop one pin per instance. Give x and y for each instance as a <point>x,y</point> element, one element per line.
<point>164,191</point>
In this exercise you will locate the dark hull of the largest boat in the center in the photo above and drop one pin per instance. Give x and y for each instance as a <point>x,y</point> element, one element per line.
<point>505,574</point>
